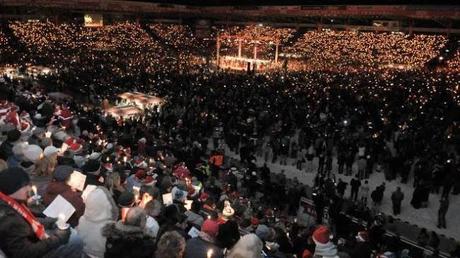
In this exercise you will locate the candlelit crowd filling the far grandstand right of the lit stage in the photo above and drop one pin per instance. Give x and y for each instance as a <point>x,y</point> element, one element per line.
<point>349,50</point>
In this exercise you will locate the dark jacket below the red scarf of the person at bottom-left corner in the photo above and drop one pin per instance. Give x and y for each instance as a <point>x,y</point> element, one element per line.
<point>17,239</point>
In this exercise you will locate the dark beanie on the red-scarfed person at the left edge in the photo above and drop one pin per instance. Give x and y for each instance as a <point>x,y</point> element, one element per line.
<point>13,179</point>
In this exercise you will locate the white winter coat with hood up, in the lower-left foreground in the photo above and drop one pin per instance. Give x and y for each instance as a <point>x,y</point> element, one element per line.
<point>100,210</point>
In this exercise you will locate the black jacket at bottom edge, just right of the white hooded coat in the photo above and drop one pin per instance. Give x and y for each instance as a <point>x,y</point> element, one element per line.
<point>125,241</point>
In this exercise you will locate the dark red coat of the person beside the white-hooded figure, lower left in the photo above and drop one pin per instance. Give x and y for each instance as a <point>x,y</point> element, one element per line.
<point>56,188</point>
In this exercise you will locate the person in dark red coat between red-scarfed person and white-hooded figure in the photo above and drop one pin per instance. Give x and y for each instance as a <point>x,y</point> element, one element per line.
<point>59,186</point>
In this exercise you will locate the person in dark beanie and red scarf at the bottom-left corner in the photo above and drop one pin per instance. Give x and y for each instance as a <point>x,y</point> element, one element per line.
<point>21,233</point>
